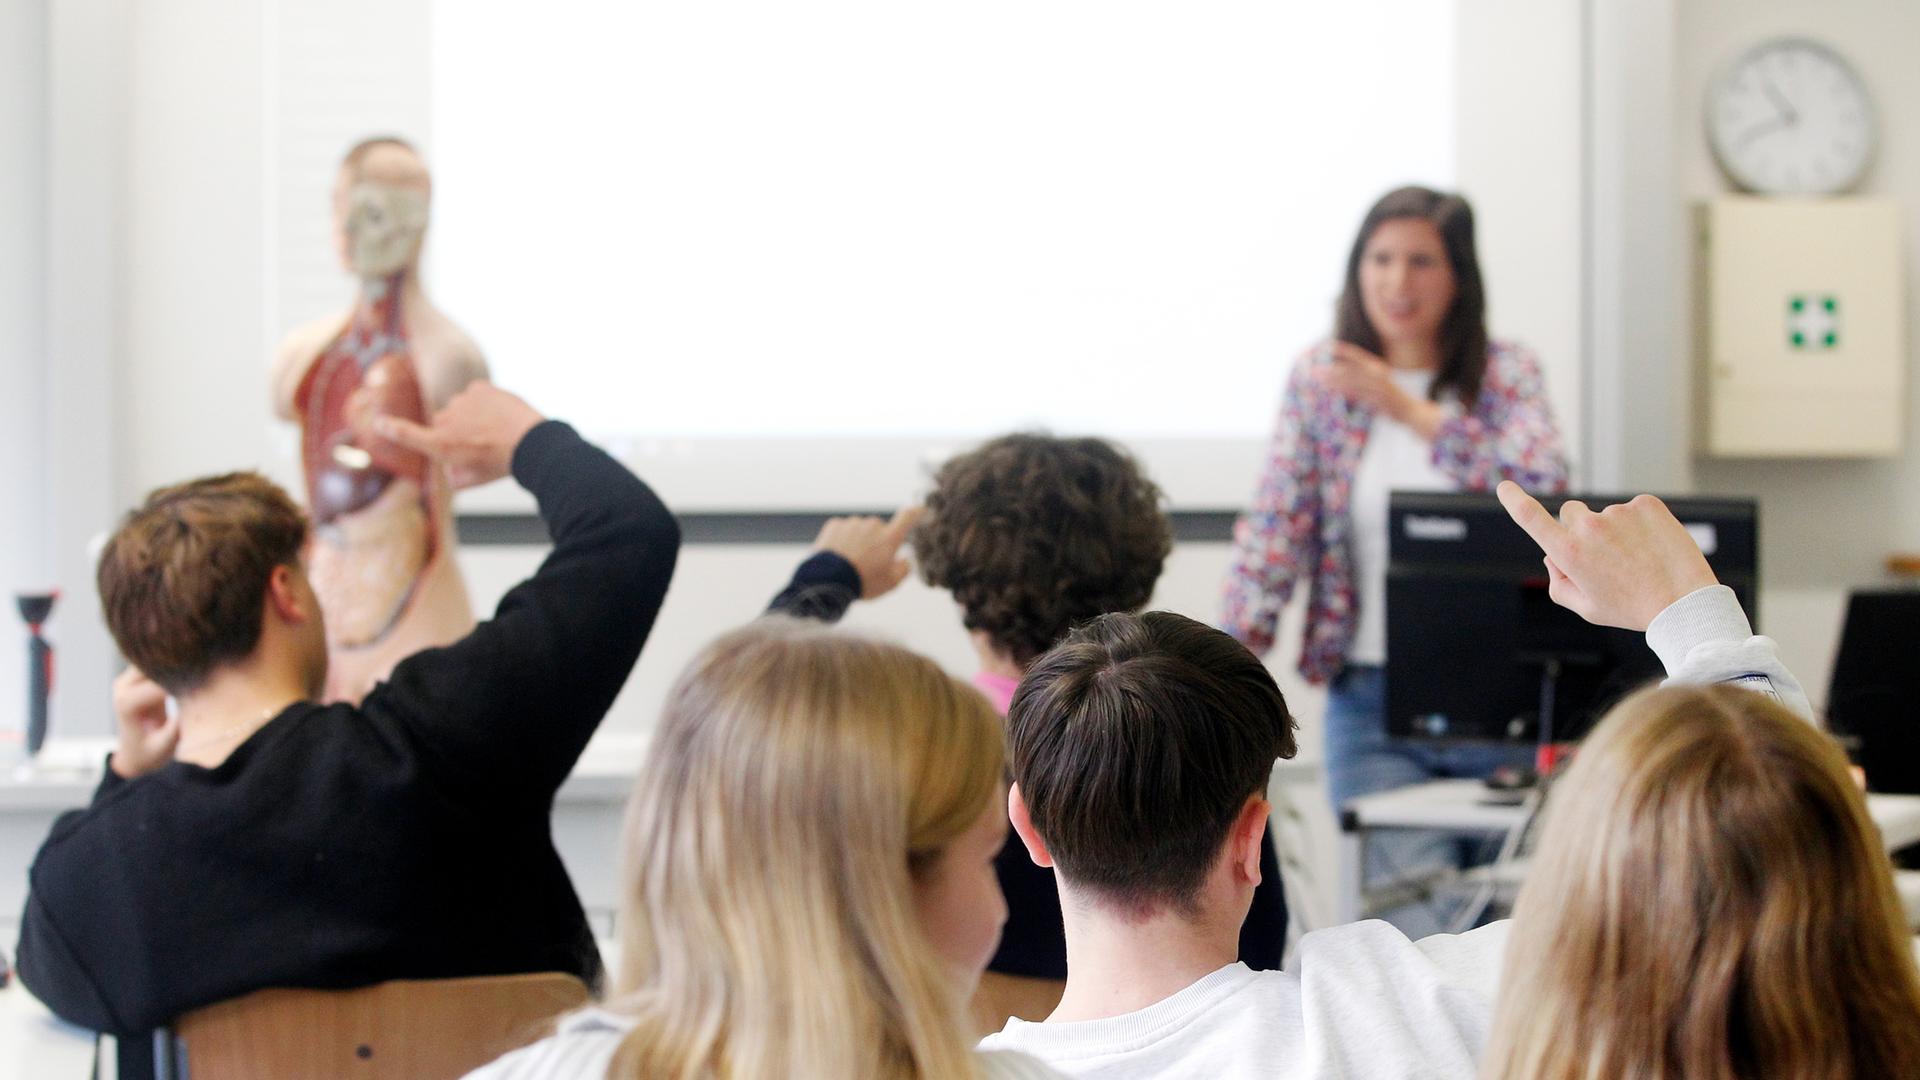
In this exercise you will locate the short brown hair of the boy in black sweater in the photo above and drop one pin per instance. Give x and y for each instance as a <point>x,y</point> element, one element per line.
<point>185,577</point>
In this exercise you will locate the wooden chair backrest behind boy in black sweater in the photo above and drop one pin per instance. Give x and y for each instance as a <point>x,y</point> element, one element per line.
<point>406,1029</point>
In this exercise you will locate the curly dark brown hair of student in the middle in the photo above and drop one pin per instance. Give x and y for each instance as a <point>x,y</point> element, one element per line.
<point>1036,535</point>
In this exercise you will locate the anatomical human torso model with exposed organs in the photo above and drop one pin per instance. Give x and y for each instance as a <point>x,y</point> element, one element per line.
<point>383,516</point>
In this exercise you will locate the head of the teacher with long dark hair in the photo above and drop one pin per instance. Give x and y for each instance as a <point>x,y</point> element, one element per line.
<point>1414,278</point>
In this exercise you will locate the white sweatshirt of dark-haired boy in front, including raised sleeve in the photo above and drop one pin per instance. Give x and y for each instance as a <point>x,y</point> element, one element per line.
<point>1362,1002</point>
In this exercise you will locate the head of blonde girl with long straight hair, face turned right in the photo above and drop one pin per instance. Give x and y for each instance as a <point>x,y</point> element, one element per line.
<point>809,885</point>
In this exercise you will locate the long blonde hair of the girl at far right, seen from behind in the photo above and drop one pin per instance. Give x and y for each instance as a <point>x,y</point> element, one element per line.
<point>1710,900</point>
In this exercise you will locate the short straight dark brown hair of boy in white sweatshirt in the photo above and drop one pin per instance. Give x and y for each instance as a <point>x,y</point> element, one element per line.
<point>1136,743</point>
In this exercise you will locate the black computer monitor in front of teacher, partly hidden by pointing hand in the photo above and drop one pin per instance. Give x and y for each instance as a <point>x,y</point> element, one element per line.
<point>1476,649</point>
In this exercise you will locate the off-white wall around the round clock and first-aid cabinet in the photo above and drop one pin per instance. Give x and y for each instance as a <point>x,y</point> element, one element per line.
<point>1825,526</point>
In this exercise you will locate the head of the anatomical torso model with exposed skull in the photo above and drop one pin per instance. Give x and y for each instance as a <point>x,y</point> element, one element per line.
<point>381,207</point>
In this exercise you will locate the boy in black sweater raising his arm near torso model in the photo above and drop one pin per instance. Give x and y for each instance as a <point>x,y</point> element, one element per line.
<point>266,841</point>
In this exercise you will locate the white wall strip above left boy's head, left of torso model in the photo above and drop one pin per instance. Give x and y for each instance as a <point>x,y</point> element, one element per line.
<point>195,237</point>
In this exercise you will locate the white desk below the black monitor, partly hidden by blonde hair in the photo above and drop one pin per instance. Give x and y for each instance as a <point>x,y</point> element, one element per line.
<point>1460,806</point>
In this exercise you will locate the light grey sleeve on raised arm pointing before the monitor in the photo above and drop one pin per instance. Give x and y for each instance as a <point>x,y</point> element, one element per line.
<point>1706,637</point>
